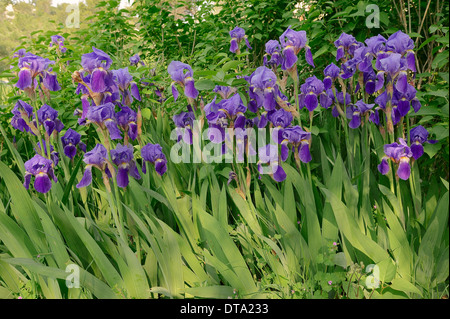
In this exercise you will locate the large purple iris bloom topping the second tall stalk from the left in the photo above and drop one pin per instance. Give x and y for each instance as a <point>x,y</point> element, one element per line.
<point>97,64</point>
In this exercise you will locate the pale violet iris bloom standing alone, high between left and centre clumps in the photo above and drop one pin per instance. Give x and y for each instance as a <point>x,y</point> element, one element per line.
<point>182,74</point>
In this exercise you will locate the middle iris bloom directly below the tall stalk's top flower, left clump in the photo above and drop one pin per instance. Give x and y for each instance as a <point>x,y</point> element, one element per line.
<point>103,116</point>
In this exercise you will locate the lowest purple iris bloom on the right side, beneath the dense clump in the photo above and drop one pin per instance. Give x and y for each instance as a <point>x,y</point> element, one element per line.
<point>400,154</point>
